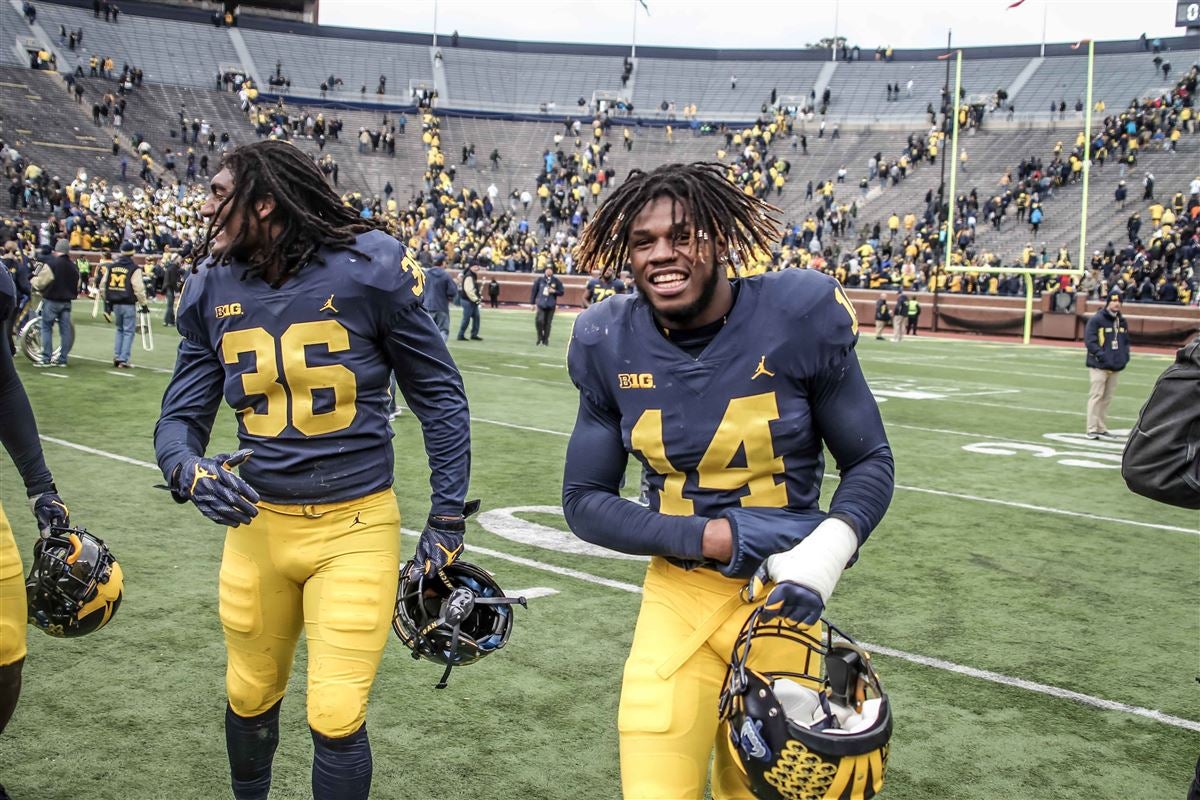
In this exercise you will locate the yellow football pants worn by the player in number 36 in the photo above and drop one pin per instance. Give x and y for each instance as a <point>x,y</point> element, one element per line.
<point>333,568</point>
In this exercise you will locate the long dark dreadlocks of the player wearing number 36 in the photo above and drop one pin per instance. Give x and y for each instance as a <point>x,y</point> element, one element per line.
<point>310,212</point>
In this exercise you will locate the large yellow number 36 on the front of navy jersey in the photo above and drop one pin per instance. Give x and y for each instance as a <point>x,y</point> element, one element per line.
<point>290,400</point>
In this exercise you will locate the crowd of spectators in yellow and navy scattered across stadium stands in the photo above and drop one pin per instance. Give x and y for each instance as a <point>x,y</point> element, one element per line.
<point>537,227</point>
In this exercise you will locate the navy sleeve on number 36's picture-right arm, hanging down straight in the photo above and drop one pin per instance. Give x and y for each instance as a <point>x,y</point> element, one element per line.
<point>433,388</point>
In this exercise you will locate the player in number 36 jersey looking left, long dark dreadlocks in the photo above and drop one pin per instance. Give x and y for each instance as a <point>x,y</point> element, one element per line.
<point>297,311</point>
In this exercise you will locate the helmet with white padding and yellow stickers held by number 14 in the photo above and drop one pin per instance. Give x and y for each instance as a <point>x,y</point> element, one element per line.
<point>814,732</point>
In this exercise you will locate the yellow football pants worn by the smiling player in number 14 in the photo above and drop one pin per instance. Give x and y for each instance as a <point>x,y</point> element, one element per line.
<point>668,719</point>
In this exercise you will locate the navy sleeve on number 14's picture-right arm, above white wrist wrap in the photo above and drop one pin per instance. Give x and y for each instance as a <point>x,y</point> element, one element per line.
<point>861,450</point>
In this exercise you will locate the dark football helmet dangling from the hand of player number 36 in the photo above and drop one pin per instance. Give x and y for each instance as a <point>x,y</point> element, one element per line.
<point>454,617</point>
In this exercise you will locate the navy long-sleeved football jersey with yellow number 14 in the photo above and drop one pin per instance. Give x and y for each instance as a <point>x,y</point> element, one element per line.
<point>745,424</point>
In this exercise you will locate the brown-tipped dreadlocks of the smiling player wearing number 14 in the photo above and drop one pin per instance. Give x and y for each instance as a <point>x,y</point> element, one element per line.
<point>717,208</point>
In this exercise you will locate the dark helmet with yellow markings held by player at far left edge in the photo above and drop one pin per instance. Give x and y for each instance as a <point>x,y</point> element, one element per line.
<point>75,586</point>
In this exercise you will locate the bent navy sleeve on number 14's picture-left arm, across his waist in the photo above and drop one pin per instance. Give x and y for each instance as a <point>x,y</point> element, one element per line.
<point>597,514</point>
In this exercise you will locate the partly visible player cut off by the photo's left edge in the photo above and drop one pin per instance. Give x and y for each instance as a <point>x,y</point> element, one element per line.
<point>20,437</point>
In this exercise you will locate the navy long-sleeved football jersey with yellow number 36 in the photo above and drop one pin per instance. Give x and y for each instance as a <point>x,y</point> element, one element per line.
<point>307,368</point>
